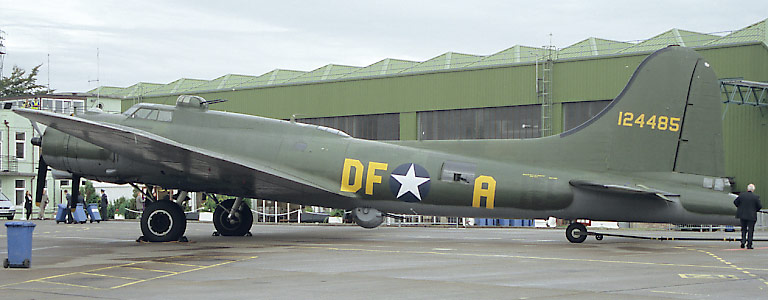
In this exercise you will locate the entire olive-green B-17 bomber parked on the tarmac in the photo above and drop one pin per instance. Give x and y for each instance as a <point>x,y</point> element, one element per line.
<point>654,154</point>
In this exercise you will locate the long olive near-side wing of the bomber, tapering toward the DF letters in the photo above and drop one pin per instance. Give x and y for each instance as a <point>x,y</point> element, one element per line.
<point>201,163</point>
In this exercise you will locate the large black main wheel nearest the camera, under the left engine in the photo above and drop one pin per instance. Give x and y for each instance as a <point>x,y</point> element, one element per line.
<point>163,221</point>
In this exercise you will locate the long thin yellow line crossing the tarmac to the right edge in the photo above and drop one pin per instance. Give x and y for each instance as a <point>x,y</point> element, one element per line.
<point>523,257</point>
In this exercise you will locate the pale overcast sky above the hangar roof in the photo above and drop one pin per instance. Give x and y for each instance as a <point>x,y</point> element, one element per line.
<point>161,41</point>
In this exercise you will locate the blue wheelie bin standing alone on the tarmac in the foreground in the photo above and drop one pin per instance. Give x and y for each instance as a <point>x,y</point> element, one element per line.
<point>19,244</point>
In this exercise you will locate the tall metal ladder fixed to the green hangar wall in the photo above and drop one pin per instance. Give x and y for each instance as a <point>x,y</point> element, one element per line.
<point>544,88</point>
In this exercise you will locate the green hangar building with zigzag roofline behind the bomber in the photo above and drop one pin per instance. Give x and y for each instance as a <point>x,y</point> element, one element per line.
<point>519,92</point>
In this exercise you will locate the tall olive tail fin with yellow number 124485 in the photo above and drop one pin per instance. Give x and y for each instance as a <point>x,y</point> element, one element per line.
<point>667,118</point>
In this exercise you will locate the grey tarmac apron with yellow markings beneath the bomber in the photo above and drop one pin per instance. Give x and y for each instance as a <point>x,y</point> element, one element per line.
<point>346,262</point>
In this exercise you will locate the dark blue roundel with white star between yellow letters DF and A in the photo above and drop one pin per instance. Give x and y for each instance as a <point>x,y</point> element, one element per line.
<point>409,182</point>
